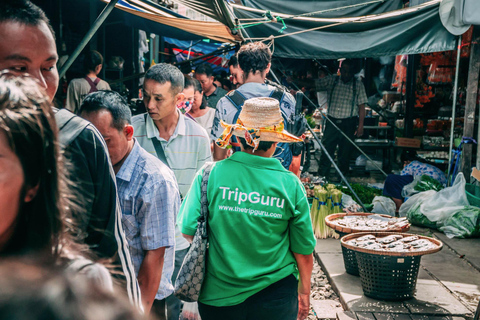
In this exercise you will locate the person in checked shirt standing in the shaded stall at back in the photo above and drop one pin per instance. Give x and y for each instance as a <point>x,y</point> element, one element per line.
<point>346,108</point>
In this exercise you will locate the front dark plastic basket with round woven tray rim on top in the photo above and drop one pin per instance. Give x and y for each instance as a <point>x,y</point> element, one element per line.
<point>388,275</point>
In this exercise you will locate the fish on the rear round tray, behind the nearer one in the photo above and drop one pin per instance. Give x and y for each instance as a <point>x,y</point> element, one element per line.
<point>370,223</point>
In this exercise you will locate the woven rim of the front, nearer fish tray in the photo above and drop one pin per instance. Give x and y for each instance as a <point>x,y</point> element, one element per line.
<point>346,238</point>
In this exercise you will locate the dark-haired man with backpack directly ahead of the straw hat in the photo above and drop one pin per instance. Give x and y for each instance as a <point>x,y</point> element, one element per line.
<point>255,61</point>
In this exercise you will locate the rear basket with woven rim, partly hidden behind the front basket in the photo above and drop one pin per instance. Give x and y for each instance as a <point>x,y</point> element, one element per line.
<point>349,256</point>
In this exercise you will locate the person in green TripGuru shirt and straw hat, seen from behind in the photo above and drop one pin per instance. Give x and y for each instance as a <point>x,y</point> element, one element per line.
<point>260,234</point>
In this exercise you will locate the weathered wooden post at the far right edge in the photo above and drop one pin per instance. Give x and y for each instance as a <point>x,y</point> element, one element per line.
<point>471,102</point>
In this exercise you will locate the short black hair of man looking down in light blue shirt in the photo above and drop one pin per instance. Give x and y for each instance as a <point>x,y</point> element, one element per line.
<point>111,101</point>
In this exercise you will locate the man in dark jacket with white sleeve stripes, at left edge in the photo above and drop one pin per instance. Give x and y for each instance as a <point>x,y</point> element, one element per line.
<point>27,45</point>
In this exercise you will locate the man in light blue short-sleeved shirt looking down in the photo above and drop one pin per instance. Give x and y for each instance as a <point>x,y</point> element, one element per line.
<point>148,195</point>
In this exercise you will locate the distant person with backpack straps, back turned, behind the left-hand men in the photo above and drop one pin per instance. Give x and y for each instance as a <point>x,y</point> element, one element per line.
<point>79,88</point>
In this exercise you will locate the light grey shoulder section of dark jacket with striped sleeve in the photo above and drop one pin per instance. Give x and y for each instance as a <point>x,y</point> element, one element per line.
<point>69,126</point>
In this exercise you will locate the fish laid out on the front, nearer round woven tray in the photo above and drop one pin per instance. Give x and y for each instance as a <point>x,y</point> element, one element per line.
<point>393,243</point>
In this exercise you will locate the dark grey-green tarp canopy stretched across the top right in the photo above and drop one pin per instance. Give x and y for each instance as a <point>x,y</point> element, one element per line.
<point>331,29</point>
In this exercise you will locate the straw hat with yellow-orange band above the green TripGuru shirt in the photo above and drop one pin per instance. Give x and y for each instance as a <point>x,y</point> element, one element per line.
<point>259,120</point>
